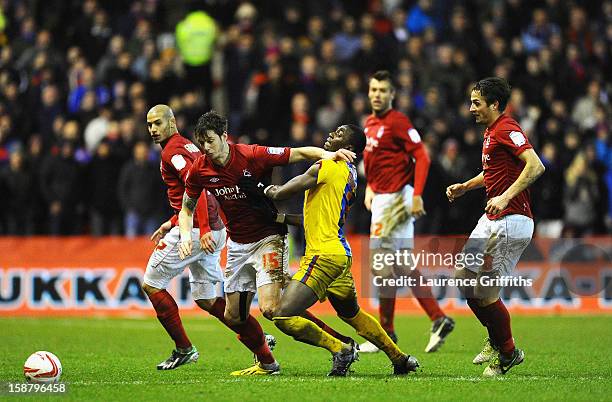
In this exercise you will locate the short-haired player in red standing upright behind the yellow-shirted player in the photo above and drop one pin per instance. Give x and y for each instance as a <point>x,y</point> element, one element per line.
<point>396,166</point>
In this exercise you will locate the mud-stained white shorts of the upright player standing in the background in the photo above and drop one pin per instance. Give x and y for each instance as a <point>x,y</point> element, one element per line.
<point>402,236</point>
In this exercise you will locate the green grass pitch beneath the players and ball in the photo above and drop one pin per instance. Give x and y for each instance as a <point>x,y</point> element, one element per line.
<point>567,358</point>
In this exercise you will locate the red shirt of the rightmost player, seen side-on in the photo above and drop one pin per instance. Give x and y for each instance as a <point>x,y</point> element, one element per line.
<point>503,142</point>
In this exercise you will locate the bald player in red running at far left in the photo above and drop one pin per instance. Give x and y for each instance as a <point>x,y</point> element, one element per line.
<point>178,154</point>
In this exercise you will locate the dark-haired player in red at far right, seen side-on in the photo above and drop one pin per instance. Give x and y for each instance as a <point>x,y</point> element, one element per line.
<point>509,167</point>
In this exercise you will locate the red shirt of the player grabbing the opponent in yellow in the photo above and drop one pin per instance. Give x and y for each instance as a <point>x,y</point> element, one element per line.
<point>244,223</point>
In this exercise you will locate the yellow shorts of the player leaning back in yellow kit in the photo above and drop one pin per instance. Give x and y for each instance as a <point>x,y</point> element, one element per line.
<point>327,274</point>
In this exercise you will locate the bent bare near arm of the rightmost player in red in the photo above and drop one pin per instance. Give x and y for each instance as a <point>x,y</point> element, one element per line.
<point>531,171</point>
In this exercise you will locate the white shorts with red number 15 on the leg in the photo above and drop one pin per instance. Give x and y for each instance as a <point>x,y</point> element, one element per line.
<point>252,265</point>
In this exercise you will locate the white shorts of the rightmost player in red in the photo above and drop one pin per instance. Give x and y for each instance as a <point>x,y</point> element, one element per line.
<point>499,243</point>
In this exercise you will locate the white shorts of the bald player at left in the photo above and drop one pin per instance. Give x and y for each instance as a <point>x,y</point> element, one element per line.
<point>204,269</point>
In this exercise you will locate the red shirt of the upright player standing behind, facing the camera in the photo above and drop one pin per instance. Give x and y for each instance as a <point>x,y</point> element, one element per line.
<point>391,141</point>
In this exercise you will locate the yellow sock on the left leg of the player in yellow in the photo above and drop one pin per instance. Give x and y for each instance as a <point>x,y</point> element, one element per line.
<point>306,331</point>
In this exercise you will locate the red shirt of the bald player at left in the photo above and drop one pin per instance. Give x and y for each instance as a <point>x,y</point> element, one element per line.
<point>178,154</point>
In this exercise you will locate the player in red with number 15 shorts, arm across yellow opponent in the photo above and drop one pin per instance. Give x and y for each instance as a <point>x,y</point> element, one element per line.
<point>257,249</point>
